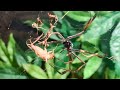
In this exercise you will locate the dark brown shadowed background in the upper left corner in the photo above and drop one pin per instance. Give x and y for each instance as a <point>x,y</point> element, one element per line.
<point>11,22</point>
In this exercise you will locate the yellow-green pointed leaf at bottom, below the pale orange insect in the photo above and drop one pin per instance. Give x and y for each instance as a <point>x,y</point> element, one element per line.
<point>35,71</point>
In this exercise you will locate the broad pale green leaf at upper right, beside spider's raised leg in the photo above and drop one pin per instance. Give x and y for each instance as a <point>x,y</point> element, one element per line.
<point>99,27</point>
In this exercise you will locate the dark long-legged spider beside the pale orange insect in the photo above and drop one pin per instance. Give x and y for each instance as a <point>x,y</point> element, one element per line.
<point>69,47</point>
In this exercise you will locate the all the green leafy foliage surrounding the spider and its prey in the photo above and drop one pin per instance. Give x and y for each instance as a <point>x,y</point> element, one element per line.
<point>102,36</point>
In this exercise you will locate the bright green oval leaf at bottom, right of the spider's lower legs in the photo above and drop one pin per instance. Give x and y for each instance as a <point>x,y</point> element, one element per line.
<point>91,67</point>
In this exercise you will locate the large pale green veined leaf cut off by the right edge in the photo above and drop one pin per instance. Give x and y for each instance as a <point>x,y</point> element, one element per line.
<point>115,48</point>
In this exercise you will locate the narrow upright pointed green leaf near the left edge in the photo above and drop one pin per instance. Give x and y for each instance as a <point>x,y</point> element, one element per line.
<point>11,47</point>
